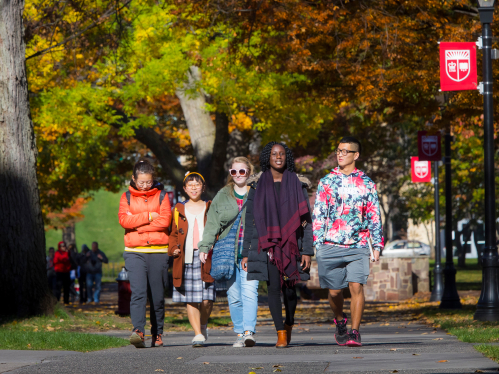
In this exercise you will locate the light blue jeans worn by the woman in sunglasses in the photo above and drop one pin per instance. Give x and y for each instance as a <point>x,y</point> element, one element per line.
<point>243,300</point>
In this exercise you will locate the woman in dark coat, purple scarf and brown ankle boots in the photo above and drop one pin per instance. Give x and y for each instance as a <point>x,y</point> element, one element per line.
<point>278,240</point>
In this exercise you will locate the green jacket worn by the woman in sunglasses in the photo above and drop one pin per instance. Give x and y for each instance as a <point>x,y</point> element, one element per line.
<point>223,209</point>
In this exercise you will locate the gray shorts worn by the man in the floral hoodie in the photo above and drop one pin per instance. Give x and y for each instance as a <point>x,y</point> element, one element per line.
<point>339,266</point>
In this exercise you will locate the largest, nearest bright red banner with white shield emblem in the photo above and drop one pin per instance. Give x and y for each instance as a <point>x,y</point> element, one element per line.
<point>458,66</point>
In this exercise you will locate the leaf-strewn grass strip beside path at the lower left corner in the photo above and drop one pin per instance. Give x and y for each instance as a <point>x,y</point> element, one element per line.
<point>62,331</point>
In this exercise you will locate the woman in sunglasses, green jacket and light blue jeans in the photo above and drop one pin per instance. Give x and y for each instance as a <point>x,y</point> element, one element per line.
<point>242,293</point>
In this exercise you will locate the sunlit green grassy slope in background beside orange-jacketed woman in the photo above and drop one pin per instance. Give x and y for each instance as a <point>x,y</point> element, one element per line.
<point>100,224</point>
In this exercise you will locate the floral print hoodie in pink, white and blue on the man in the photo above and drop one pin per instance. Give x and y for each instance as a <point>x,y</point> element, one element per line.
<point>346,210</point>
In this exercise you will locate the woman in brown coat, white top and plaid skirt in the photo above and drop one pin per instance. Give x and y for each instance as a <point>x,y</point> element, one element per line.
<point>192,283</point>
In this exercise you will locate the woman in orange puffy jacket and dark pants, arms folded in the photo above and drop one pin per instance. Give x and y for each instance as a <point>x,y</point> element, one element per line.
<point>146,219</point>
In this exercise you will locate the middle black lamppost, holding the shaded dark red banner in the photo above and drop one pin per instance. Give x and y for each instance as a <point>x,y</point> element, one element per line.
<point>450,298</point>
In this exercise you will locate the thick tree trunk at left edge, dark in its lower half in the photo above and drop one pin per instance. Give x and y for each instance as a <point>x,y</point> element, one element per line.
<point>24,288</point>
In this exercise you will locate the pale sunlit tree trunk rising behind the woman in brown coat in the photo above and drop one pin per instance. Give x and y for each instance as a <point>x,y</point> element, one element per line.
<point>201,127</point>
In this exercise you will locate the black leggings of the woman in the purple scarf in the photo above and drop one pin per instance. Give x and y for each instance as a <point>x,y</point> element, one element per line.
<point>275,305</point>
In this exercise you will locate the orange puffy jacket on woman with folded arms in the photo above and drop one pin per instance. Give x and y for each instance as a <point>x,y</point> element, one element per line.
<point>139,232</point>
